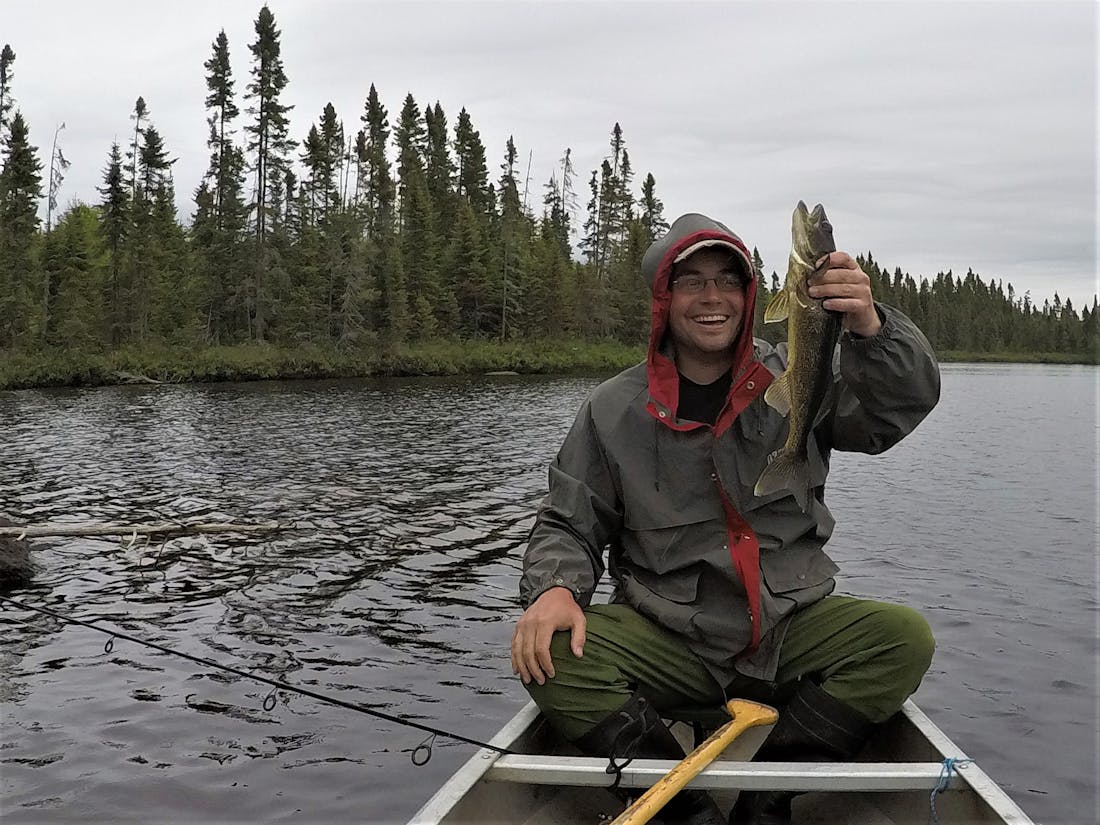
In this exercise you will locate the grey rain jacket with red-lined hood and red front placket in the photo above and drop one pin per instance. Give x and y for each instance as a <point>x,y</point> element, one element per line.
<point>690,546</point>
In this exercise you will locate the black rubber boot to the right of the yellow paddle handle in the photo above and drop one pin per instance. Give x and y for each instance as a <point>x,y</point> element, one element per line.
<point>815,728</point>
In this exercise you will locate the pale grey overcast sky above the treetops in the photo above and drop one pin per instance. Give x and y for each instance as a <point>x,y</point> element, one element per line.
<point>939,136</point>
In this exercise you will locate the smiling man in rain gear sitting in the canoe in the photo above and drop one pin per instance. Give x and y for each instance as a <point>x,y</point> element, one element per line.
<point>719,593</point>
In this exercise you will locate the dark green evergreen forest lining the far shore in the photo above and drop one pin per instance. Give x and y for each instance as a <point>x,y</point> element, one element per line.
<point>386,243</point>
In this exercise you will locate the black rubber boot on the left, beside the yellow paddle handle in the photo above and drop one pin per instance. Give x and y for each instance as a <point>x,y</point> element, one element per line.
<point>636,732</point>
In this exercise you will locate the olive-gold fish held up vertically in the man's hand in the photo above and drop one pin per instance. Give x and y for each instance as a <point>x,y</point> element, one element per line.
<point>813,333</point>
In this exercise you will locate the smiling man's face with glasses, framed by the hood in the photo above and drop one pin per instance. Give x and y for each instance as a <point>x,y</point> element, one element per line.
<point>707,322</point>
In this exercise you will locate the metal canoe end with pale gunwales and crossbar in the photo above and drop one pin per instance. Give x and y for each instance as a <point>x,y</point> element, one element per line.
<point>893,783</point>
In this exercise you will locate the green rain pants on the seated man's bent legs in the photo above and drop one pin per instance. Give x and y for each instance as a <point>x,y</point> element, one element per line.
<point>870,655</point>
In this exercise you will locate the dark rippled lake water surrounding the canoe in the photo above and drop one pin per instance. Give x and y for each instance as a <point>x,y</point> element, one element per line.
<point>401,595</point>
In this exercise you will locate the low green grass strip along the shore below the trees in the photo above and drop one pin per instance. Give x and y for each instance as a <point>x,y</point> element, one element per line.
<point>259,362</point>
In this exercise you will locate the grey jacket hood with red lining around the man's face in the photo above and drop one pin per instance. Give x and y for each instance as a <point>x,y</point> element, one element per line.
<point>688,235</point>
